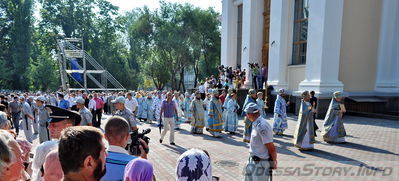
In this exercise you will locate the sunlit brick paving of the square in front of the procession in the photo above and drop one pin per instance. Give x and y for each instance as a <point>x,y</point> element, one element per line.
<point>372,153</point>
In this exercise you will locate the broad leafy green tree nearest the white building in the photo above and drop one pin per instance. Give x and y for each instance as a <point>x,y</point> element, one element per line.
<point>183,36</point>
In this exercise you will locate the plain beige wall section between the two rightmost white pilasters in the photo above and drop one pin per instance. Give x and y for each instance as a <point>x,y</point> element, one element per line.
<point>359,45</point>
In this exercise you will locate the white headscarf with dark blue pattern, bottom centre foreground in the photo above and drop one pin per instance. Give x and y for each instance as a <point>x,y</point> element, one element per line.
<point>194,165</point>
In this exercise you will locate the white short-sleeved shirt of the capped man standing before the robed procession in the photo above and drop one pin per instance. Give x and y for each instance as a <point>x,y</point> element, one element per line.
<point>261,134</point>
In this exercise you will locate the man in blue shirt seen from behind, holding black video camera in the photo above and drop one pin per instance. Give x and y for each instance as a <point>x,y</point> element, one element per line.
<point>117,135</point>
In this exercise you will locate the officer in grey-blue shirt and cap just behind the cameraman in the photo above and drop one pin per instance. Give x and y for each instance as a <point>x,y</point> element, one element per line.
<point>125,112</point>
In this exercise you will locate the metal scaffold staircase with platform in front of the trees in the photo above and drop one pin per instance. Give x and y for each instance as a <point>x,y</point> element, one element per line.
<point>72,48</point>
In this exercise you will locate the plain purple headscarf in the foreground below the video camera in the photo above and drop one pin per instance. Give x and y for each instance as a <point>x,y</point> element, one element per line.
<point>139,170</point>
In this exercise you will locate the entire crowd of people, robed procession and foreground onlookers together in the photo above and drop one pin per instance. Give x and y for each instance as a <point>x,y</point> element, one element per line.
<point>72,147</point>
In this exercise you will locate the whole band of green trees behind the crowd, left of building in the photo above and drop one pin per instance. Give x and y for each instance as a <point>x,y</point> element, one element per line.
<point>140,47</point>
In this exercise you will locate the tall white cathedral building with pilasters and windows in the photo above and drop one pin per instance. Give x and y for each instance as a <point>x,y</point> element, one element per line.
<point>320,45</point>
